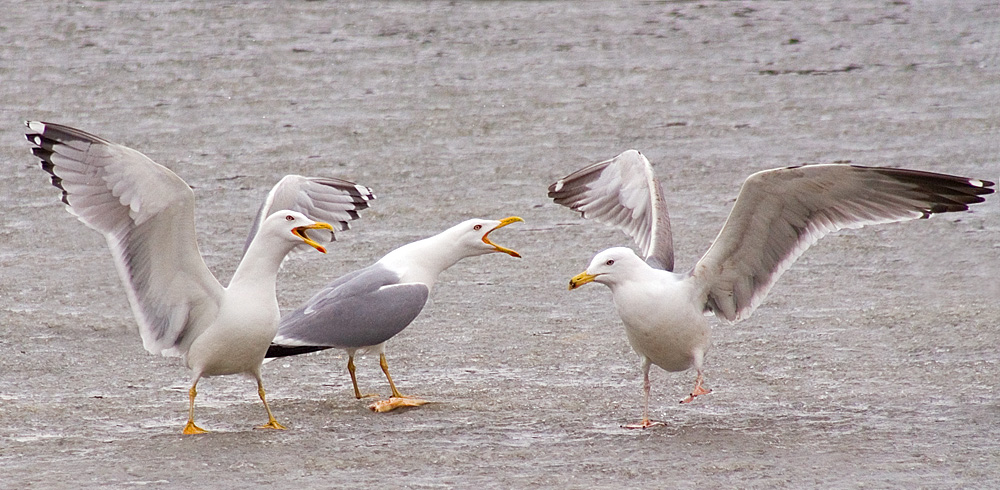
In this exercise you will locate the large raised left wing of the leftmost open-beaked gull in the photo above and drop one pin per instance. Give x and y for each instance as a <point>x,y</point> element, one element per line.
<point>146,213</point>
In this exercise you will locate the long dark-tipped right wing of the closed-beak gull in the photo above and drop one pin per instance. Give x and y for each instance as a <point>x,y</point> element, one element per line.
<point>781,212</point>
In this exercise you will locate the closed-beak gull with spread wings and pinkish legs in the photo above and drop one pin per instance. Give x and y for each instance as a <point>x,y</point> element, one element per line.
<point>779,213</point>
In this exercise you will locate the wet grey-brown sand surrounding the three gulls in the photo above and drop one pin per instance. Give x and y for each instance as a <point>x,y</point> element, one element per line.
<point>872,364</point>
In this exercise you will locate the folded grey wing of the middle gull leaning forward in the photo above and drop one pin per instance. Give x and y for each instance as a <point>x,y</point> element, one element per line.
<point>361,309</point>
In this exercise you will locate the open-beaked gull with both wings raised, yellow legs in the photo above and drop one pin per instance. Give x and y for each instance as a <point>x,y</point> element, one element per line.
<point>146,213</point>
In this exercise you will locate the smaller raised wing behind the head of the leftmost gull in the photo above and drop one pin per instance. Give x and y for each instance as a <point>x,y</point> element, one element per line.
<point>334,201</point>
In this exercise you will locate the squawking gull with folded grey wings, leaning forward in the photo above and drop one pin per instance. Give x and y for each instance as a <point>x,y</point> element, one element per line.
<point>362,310</point>
